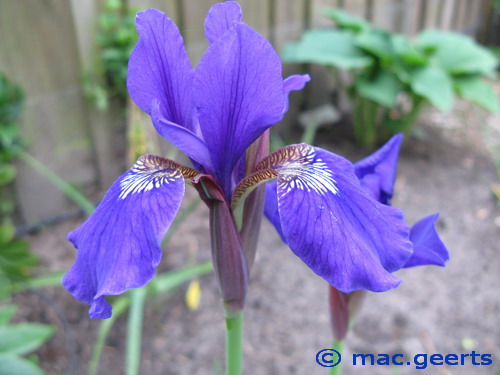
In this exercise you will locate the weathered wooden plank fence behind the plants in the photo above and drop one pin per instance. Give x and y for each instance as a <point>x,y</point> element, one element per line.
<point>46,45</point>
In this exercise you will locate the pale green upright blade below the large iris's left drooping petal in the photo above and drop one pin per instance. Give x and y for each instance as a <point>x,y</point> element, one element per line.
<point>134,331</point>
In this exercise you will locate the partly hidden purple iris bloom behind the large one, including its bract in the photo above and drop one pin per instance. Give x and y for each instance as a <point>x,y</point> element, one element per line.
<point>377,174</point>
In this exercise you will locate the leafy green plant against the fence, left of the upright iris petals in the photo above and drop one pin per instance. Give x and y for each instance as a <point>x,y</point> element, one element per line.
<point>115,39</point>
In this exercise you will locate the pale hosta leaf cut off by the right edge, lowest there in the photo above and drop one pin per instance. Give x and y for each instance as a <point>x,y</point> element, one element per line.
<point>478,91</point>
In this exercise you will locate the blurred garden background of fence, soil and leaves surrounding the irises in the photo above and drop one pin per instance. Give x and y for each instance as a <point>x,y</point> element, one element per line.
<point>68,129</point>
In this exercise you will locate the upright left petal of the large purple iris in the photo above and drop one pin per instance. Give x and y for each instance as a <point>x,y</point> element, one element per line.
<point>159,69</point>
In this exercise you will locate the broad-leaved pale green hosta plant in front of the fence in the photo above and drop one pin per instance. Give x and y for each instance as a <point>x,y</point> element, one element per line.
<point>390,78</point>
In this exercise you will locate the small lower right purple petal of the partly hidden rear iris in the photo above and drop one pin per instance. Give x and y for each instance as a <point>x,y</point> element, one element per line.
<point>427,246</point>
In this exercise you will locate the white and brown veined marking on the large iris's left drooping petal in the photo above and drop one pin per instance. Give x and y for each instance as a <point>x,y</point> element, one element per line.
<point>152,172</point>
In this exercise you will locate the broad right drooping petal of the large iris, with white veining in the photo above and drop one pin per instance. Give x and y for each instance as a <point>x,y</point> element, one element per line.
<point>334,226</point>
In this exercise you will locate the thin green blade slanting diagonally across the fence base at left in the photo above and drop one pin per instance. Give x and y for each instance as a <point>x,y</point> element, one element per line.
<point>65,188</point>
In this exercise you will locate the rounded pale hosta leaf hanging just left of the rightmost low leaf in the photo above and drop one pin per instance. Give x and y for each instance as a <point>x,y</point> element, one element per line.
<point>435,85</point>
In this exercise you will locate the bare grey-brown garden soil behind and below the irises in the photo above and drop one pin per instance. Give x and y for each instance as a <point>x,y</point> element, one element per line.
<point>445,168</point>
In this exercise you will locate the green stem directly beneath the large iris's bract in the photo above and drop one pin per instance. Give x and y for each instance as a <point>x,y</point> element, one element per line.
<point>234,342</point>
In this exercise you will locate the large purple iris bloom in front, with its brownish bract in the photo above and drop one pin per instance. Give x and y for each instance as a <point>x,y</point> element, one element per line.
<point>219,115</point>
